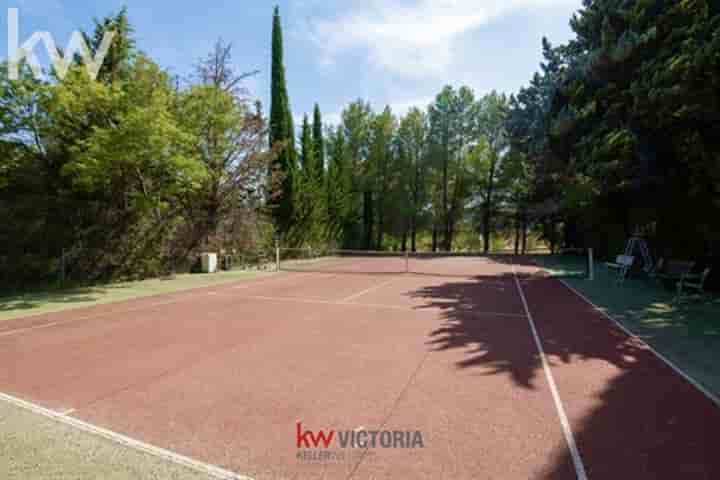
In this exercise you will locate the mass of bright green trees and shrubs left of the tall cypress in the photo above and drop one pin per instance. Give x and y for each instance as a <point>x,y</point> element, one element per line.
<point>127,176</point>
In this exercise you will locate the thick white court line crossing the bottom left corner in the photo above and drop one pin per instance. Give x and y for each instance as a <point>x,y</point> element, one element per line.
<point>200,467</point>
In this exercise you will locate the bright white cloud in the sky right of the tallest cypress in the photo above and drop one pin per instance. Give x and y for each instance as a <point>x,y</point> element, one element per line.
<point>411,39</point>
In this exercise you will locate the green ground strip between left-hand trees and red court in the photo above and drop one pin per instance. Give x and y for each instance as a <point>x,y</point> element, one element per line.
<point>54,300</point>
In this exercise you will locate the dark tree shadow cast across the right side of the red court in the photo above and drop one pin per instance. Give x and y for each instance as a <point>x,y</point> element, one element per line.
<point>632,416</point>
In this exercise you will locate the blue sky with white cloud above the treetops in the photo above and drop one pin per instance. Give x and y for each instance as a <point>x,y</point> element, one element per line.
<point>397,52</point>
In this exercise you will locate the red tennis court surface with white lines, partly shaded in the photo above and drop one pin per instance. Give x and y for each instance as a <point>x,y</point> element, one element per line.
<point>222,375</point>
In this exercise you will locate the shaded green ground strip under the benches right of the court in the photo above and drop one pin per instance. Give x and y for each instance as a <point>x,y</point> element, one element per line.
<point>686,331</point>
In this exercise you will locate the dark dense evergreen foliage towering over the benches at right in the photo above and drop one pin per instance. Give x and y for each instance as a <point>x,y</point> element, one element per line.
<point>621,126</point>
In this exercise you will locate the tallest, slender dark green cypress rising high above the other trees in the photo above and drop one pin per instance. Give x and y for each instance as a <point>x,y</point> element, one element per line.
<point>281,132</point>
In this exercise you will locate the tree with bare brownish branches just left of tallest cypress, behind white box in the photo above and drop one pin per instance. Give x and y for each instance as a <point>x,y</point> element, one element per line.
<point>227,138</point>
